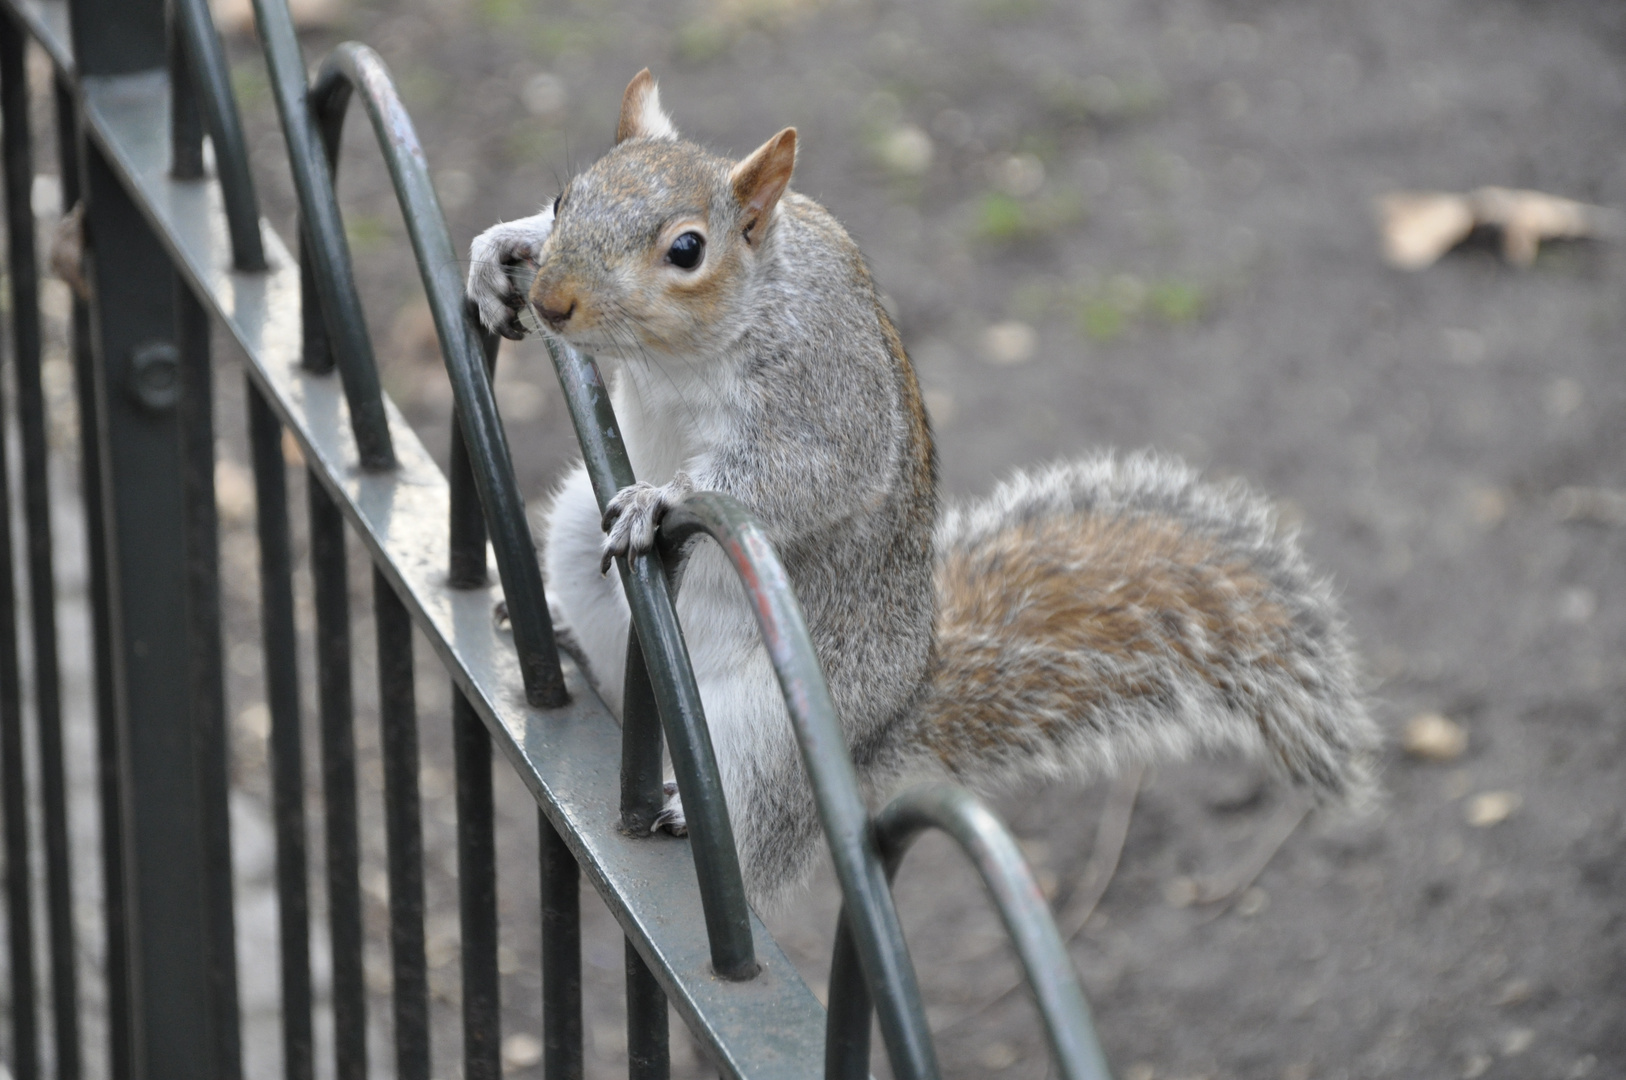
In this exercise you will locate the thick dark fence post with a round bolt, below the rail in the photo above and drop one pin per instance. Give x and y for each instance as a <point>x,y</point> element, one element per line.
<point>175,1011</point>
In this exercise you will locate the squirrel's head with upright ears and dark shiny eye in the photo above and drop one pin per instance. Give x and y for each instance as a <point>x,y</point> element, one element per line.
<point>656,246</point>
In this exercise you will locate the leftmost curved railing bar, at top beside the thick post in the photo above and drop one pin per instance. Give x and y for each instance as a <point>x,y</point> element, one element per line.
<point>220,113</point>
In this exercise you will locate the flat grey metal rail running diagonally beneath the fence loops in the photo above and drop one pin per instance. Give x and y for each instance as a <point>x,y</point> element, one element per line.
<point>572,762</point>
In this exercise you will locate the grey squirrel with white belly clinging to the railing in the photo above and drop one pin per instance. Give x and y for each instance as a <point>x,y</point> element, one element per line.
<point>1082,619</point>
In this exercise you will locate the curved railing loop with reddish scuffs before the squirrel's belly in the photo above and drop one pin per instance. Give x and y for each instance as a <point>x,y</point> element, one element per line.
<point>871,912</point>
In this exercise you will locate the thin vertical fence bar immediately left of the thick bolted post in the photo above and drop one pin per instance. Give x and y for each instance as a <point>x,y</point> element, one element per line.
<point>115,907</point>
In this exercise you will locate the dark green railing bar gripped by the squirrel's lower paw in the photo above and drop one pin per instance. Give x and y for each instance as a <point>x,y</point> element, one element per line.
<point>672,679</point>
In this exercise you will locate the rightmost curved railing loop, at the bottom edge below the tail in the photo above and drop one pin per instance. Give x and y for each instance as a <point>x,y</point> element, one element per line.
<point>1027,917</point>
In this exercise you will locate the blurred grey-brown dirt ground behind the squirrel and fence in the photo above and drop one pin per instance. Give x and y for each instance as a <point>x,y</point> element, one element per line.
<point>1136,224</point>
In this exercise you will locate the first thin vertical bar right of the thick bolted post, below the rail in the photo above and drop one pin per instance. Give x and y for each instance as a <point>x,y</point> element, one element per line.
<point>282,692</point>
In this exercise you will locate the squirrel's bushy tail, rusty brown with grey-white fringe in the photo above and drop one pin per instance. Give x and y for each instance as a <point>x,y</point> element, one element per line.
<point>1120,611</point>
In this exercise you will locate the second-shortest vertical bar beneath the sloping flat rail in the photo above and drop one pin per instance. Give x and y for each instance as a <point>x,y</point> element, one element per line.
<point>562,956</point>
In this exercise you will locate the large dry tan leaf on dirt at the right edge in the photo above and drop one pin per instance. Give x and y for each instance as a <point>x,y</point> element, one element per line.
<point>1422,227</point>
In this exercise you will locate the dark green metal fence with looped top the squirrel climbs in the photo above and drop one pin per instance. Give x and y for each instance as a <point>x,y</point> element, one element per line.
<point>175,248</point>
